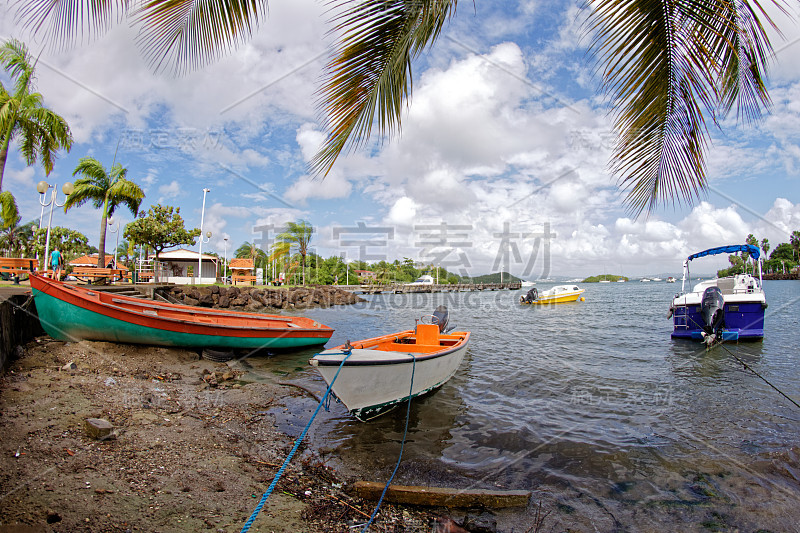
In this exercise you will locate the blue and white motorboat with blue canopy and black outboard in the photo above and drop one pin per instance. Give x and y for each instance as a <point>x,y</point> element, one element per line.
<point>721,309</point>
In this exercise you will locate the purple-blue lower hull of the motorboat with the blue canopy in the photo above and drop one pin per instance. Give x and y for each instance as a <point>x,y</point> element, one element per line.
<point>743,321</point>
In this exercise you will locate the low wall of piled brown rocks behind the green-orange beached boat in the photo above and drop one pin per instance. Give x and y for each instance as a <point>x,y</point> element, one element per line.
<point>253,299</point>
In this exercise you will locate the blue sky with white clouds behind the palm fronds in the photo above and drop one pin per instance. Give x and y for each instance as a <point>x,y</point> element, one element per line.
<point>502,159</point>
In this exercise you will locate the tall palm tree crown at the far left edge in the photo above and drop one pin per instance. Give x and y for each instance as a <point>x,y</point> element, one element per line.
<point>41,132</point>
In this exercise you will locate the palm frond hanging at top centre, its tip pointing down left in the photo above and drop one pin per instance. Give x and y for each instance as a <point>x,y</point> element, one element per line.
<point>369,78</point>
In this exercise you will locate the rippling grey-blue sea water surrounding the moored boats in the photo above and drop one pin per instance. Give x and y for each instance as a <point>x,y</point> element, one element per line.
<point>591,405</point>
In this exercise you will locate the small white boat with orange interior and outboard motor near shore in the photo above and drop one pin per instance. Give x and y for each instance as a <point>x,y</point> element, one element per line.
<point>375,375</point>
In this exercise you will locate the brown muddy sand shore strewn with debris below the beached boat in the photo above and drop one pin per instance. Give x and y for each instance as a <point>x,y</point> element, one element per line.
<point>193,448</point>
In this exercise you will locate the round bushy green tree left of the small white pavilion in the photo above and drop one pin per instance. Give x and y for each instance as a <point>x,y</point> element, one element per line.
<point>161,228</point>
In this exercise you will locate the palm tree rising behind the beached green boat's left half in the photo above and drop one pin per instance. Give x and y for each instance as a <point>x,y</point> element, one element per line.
<point>107,191</point>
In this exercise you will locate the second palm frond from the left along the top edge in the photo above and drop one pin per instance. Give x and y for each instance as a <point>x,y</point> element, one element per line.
<point>188,34</point>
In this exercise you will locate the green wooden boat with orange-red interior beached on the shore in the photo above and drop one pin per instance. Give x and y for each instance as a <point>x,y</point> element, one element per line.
<point>73,312</point>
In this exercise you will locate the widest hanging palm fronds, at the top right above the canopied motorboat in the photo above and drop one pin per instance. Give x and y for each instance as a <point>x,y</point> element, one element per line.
<point>668,65</point>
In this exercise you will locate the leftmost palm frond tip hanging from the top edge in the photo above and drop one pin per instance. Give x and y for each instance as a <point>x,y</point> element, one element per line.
<point>62,22</point>
